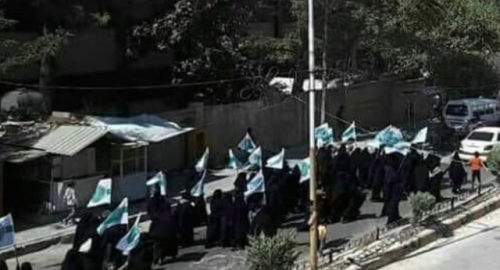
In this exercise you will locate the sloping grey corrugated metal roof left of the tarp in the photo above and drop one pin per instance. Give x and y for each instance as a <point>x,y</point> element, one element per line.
<point>69,140</point>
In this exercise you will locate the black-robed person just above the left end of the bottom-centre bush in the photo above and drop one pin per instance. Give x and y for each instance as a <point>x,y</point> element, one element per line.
<point>240,221</point>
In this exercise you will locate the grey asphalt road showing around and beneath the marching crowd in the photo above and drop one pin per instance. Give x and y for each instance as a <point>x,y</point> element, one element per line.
<point>199,258</point>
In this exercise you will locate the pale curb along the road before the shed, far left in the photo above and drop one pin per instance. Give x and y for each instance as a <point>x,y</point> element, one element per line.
<point>64,236</point>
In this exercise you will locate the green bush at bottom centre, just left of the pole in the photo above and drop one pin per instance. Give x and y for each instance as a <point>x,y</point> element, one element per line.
<point>276,253</point>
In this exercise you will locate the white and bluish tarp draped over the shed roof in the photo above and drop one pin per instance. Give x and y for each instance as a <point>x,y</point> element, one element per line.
<point>143,128</point>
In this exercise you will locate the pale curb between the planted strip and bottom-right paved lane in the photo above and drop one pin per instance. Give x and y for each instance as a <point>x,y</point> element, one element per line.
<point>428,236</point>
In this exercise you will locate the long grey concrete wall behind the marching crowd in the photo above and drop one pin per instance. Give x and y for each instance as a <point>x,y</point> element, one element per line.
<point>373,105</point>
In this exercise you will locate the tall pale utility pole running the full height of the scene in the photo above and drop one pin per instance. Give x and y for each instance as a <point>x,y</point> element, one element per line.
<point>313,234</point>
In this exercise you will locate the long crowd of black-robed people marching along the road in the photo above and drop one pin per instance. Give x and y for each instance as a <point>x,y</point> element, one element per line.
<point>345,178</point>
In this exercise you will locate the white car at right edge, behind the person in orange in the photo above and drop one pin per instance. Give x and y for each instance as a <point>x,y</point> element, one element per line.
<point>481,140</point>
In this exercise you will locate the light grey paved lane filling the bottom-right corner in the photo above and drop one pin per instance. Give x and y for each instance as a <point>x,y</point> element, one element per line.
<point>474,246</point>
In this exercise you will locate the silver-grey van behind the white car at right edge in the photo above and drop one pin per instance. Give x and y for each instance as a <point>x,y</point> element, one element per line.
<point>465,115</point>
